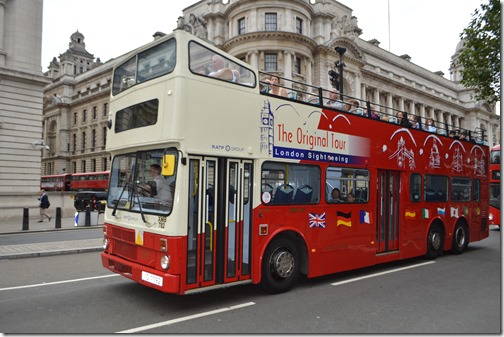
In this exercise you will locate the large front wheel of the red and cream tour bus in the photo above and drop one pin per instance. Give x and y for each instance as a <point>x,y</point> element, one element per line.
<point>281,266</point>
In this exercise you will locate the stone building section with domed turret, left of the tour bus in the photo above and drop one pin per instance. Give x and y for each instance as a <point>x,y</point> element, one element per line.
<point>76,111</point>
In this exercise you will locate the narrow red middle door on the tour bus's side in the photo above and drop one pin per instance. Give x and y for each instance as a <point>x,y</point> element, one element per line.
<point>387,215</point>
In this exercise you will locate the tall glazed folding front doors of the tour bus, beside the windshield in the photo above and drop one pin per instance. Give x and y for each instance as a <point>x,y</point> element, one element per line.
<point>219,225</point>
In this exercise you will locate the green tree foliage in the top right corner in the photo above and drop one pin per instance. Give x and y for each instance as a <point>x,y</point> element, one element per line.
<point>480,54</point>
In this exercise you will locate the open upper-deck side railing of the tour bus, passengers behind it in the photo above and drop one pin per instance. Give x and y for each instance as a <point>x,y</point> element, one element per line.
<point>331,99</point>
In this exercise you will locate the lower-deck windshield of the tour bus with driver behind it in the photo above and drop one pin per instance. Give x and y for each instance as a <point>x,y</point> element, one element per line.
<point>136,183</point>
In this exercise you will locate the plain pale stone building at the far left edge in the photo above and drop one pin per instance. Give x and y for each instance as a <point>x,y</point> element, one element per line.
<point>21,89</point>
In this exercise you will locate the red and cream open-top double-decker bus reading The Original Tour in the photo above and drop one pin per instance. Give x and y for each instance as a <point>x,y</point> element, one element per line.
<point>238,185</point>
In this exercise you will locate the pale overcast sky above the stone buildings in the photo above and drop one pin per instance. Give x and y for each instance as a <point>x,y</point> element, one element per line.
<point>426,30</point>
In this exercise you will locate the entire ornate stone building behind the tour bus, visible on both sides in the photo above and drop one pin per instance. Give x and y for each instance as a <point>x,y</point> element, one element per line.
<point>295,39</point>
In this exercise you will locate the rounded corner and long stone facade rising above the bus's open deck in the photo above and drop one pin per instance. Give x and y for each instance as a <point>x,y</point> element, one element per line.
<point>296,39</point>
